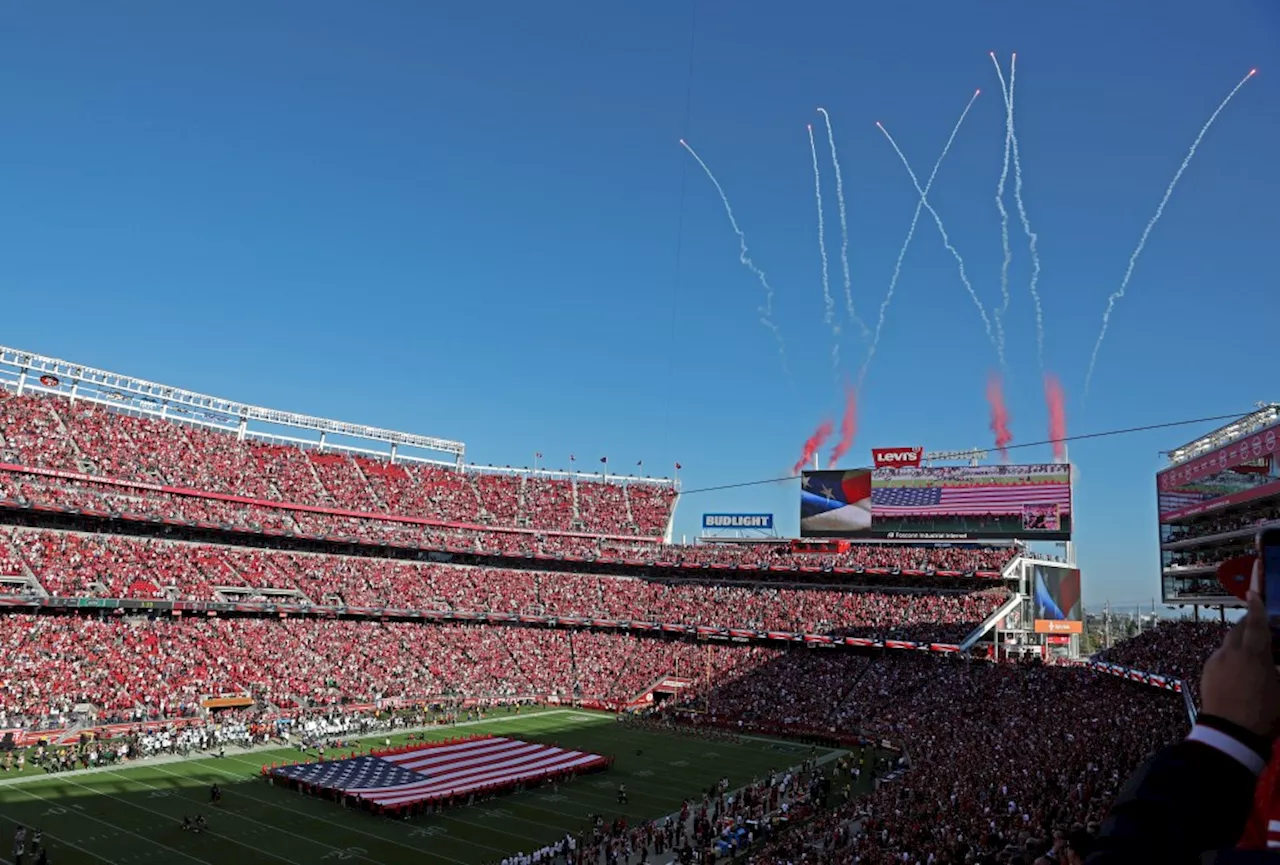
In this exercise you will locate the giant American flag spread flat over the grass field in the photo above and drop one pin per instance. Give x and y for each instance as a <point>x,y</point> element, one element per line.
<point>440,771</point>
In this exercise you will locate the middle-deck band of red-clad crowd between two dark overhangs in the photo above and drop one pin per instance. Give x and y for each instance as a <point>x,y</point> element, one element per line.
<point>109,566</point>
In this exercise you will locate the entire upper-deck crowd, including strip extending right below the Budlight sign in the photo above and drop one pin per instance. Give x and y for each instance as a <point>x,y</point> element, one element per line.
<point>513,514</point>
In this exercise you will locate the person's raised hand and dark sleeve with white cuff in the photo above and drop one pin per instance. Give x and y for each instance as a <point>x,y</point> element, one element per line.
<point>1192,800</point>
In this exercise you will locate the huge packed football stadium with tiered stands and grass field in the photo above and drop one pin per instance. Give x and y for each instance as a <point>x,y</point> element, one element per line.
<point>191,601</point>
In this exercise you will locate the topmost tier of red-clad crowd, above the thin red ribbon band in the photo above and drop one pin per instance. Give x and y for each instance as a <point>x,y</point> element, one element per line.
<point>52,433</point>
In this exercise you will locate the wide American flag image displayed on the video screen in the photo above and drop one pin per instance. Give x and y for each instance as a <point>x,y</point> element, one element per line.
<point>962,500</point>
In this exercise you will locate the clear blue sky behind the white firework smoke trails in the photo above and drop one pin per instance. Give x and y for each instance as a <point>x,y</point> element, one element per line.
<point>469,223</point>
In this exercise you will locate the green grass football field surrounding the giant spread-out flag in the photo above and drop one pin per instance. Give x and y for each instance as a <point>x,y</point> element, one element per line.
<point>132,814</point>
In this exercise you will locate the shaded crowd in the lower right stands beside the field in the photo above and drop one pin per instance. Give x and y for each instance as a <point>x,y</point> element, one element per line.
<point>1004,761</point>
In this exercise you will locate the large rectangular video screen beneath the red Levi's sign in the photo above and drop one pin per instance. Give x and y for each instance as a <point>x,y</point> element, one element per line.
<point>939,504</point>
